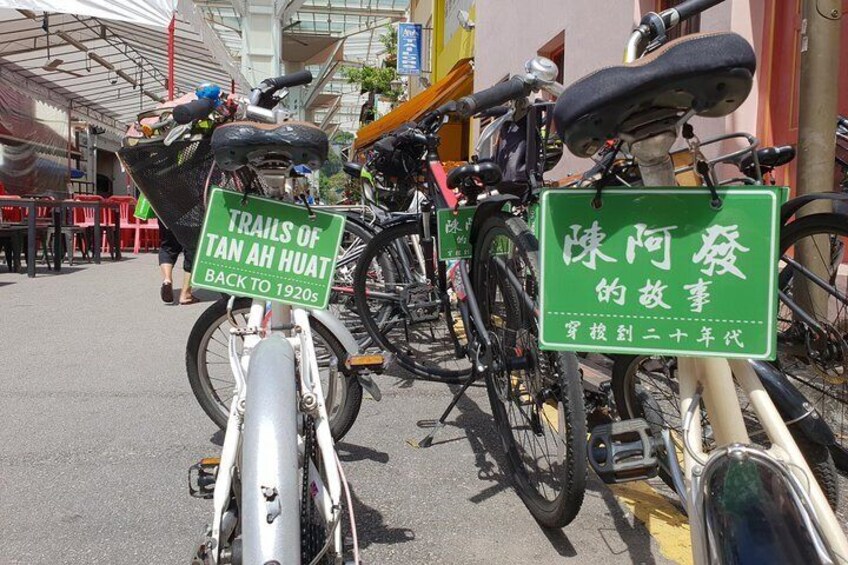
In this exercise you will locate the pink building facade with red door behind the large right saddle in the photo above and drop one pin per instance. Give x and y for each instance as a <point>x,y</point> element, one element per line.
<point>584,36</point>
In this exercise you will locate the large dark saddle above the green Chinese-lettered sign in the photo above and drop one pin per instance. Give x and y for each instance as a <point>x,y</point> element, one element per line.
<point>709,73</point>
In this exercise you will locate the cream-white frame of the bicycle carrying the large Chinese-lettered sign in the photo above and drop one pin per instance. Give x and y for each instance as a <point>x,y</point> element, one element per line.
<point>711,380</point>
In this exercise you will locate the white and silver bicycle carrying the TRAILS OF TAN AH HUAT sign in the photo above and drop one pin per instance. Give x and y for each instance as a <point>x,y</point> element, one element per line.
<point>278,489</point>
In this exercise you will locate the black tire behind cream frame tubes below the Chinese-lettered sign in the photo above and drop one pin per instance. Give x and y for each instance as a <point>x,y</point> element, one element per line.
<point>629,406</point>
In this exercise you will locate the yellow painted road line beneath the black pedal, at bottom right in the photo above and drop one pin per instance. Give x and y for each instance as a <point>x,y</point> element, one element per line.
<point>663,520</point>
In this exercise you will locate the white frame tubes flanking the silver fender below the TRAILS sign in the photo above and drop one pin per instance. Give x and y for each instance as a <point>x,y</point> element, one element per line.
<point>327,495</point>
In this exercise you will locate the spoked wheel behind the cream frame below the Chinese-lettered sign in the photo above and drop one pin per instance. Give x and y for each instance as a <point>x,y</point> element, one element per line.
<point>647,387</point>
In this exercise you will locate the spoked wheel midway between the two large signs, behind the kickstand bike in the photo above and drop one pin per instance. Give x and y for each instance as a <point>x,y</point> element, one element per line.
<point>402,311</point>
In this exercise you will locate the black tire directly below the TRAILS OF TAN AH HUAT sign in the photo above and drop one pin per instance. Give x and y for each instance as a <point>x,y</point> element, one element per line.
<point>217,408</point>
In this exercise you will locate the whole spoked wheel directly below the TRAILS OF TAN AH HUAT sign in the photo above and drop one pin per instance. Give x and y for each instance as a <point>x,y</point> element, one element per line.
<point>211,379</point>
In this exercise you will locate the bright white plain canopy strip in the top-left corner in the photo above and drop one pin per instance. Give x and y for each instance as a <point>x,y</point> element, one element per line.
<point>150,12</point>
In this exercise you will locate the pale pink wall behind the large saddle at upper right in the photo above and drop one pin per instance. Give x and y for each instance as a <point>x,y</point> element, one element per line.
<point>509,32</point>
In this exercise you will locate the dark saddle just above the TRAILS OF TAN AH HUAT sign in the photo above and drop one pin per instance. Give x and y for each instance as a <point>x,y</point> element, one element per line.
<point>239,144</point>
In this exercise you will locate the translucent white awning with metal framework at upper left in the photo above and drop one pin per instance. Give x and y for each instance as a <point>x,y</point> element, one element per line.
<point>105,71</point>
